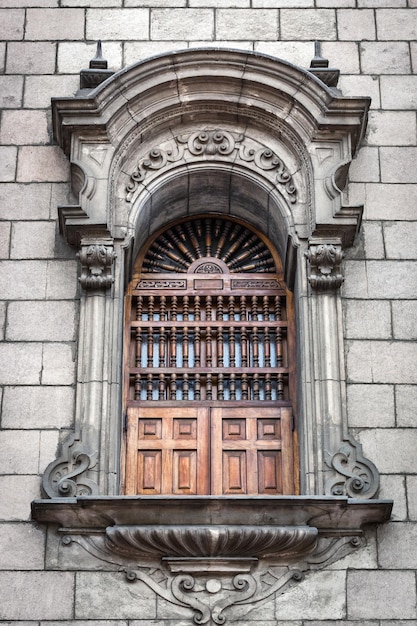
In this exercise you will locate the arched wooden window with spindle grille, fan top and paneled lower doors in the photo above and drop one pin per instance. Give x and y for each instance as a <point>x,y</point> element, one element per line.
<point>210,376</point>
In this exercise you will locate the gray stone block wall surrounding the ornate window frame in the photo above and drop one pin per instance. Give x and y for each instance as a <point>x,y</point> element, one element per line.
<point>44,45</point>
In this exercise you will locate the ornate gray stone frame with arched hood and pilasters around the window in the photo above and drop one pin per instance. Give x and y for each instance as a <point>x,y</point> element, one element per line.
<point>272,143</point>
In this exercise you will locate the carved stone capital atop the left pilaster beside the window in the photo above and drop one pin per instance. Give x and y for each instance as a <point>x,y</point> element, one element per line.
<point>96,265</point>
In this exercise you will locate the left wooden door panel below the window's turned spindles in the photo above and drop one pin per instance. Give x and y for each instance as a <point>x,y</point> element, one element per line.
<point>167,451</point>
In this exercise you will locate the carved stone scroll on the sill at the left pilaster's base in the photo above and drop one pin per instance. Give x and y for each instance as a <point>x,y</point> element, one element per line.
<point>65,477</point>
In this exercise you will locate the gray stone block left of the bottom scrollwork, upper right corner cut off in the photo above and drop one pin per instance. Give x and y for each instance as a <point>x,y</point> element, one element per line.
<point>108,595</point>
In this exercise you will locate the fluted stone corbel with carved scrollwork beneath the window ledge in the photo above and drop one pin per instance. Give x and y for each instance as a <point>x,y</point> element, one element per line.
<point>208,591</point>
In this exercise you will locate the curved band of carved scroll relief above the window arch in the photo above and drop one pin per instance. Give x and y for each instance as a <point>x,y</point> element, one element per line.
<point>212,145</point>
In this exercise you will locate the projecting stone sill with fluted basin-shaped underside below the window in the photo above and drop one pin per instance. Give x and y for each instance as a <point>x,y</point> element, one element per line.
<point>212,532</point>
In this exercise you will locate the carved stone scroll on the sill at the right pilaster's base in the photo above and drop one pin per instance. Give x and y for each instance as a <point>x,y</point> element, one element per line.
<point>356,476</point>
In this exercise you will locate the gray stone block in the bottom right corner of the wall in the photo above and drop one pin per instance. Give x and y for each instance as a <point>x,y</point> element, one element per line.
<point>379,595</point>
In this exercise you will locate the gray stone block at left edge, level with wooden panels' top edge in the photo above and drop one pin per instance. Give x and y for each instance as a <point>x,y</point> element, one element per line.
<point>37,407</point>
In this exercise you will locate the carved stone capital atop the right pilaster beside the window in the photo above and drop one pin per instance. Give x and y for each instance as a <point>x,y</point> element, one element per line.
<point>325,271</point>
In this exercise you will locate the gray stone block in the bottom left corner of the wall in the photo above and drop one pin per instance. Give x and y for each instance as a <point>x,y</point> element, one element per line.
<point>34,595</point>
